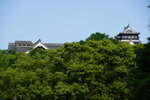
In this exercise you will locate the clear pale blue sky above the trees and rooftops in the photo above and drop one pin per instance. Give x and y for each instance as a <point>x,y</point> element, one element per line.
<point>59,21</point>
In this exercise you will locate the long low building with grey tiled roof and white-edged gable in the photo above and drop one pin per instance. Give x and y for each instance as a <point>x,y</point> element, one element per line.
<point>26,46</point>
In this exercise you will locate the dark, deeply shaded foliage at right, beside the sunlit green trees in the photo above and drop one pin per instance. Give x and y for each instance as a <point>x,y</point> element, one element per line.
<point>140,76</point>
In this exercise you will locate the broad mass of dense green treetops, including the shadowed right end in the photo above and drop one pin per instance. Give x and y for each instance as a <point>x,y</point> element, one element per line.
<point>87,70</point>
